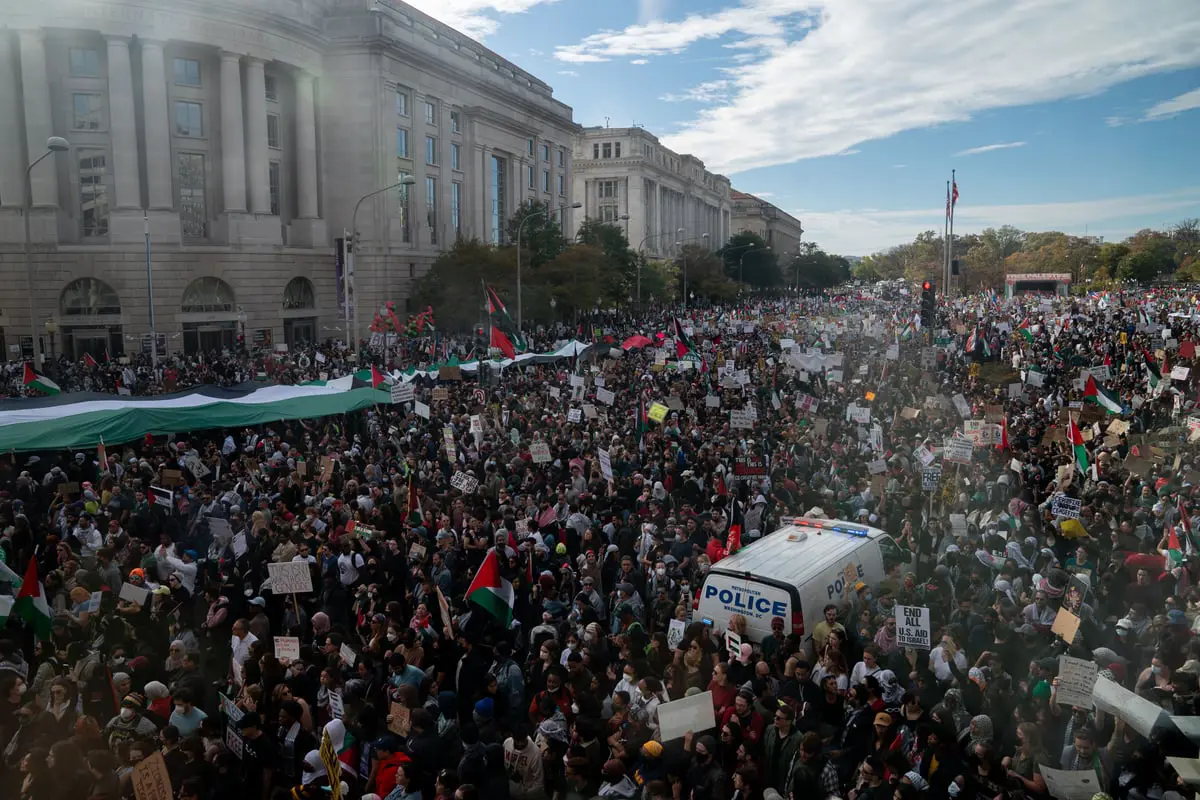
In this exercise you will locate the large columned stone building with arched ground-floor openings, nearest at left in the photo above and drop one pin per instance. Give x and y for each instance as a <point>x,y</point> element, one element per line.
<point>238,137</point>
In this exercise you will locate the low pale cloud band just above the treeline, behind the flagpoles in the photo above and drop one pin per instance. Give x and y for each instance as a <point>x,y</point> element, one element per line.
<point>867,231</point>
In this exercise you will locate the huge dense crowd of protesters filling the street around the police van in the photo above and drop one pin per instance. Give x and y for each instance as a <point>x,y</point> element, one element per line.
<point>166,635</point>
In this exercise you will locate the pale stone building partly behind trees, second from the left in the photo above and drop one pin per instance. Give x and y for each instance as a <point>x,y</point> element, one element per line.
<point>626,177</point>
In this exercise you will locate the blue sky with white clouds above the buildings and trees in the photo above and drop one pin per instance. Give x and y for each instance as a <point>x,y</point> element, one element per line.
<point>850,115</point>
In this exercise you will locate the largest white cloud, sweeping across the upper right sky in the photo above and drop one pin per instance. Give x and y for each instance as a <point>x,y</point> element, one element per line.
<point>872,69</point>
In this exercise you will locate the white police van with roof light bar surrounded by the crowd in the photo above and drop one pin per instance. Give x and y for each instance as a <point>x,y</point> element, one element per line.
<point>794,574</point>
